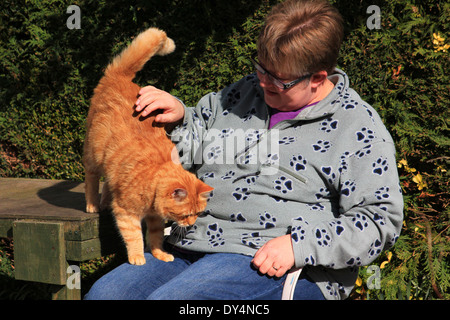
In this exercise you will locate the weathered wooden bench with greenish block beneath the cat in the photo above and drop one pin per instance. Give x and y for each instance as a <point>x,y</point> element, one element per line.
<point>51,230</point>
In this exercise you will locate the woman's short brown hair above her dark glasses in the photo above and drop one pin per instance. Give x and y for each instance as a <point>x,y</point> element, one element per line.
<point>300,37</point>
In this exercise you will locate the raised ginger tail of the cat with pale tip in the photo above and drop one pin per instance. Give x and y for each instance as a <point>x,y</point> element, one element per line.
<point>132,59</point>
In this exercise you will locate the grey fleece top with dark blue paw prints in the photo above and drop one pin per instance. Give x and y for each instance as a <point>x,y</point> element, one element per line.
<point>328,177</point>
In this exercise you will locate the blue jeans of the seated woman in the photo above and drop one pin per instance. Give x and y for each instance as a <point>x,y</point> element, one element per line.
<point>195,276</point>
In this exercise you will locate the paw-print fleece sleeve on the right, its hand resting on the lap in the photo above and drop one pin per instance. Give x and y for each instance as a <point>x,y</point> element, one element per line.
<point>370,214</point>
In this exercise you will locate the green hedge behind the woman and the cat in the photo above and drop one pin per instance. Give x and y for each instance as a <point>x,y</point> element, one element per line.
<point>48,73</point>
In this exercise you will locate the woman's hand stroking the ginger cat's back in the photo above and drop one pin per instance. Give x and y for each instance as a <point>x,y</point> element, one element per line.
<point>152,99</point>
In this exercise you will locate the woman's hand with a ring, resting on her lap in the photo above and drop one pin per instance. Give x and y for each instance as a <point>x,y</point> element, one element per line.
<point>275,257</point>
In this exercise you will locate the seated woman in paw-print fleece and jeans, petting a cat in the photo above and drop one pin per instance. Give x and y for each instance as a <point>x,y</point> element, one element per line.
<point>303,169</point>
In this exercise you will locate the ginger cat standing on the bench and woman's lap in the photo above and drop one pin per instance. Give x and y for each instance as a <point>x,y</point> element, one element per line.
<point>143,176</point>
